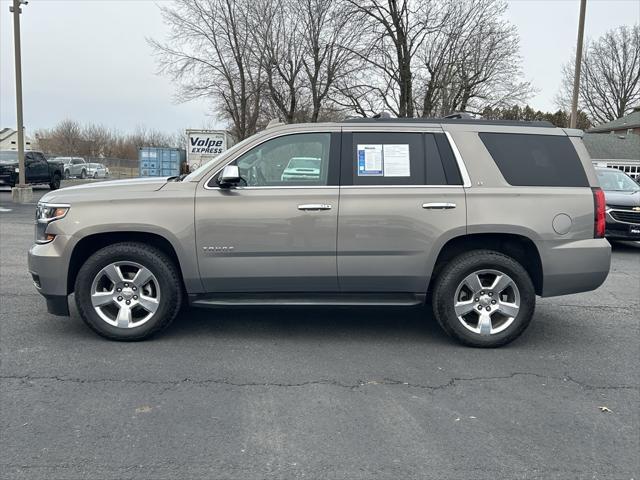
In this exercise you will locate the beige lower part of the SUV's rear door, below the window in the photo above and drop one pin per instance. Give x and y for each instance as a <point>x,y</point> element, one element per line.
<point>386,237</point>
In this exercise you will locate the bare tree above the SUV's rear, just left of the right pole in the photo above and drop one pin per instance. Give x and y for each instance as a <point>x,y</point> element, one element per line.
<point>471,62</point>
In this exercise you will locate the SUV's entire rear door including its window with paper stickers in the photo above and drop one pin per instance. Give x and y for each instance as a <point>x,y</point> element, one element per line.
<point>391,224</point>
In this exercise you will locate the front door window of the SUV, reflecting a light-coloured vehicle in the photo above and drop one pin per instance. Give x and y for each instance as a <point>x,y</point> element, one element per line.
<point>292,160</point>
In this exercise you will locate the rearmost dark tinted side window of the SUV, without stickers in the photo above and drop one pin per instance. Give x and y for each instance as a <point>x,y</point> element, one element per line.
<point>536,160</point>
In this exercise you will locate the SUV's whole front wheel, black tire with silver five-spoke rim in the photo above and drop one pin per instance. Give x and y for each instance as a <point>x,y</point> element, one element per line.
<point>128,291</point>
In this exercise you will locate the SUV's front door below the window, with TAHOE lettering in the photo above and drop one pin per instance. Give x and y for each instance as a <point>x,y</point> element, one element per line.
<point>256,239</point>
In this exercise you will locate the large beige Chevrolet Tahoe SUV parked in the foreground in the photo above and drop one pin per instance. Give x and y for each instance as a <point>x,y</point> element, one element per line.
<point>474,217</point>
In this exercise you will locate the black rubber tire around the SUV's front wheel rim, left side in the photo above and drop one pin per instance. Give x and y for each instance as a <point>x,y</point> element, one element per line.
<point>160,265</point>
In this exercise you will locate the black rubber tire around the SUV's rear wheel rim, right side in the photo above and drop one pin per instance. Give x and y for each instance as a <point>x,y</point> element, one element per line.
<point>452,276</point>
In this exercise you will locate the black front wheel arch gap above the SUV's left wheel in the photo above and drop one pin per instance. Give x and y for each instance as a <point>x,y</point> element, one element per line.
<point>89,244</point>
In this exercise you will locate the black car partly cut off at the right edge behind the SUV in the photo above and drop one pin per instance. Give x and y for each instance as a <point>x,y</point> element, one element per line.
<point>622,197</point>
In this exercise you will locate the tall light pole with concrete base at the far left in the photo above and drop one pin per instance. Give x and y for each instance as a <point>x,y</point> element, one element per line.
<point>21,193</point>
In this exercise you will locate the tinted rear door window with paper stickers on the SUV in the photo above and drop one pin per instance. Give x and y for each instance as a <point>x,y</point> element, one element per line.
<point>379,158</point>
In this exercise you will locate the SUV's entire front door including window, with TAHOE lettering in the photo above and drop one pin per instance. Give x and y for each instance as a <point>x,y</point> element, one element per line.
<point>275,231</point>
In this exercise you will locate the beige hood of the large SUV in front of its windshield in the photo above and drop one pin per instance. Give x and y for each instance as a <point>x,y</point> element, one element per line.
<point>120,189</point>
